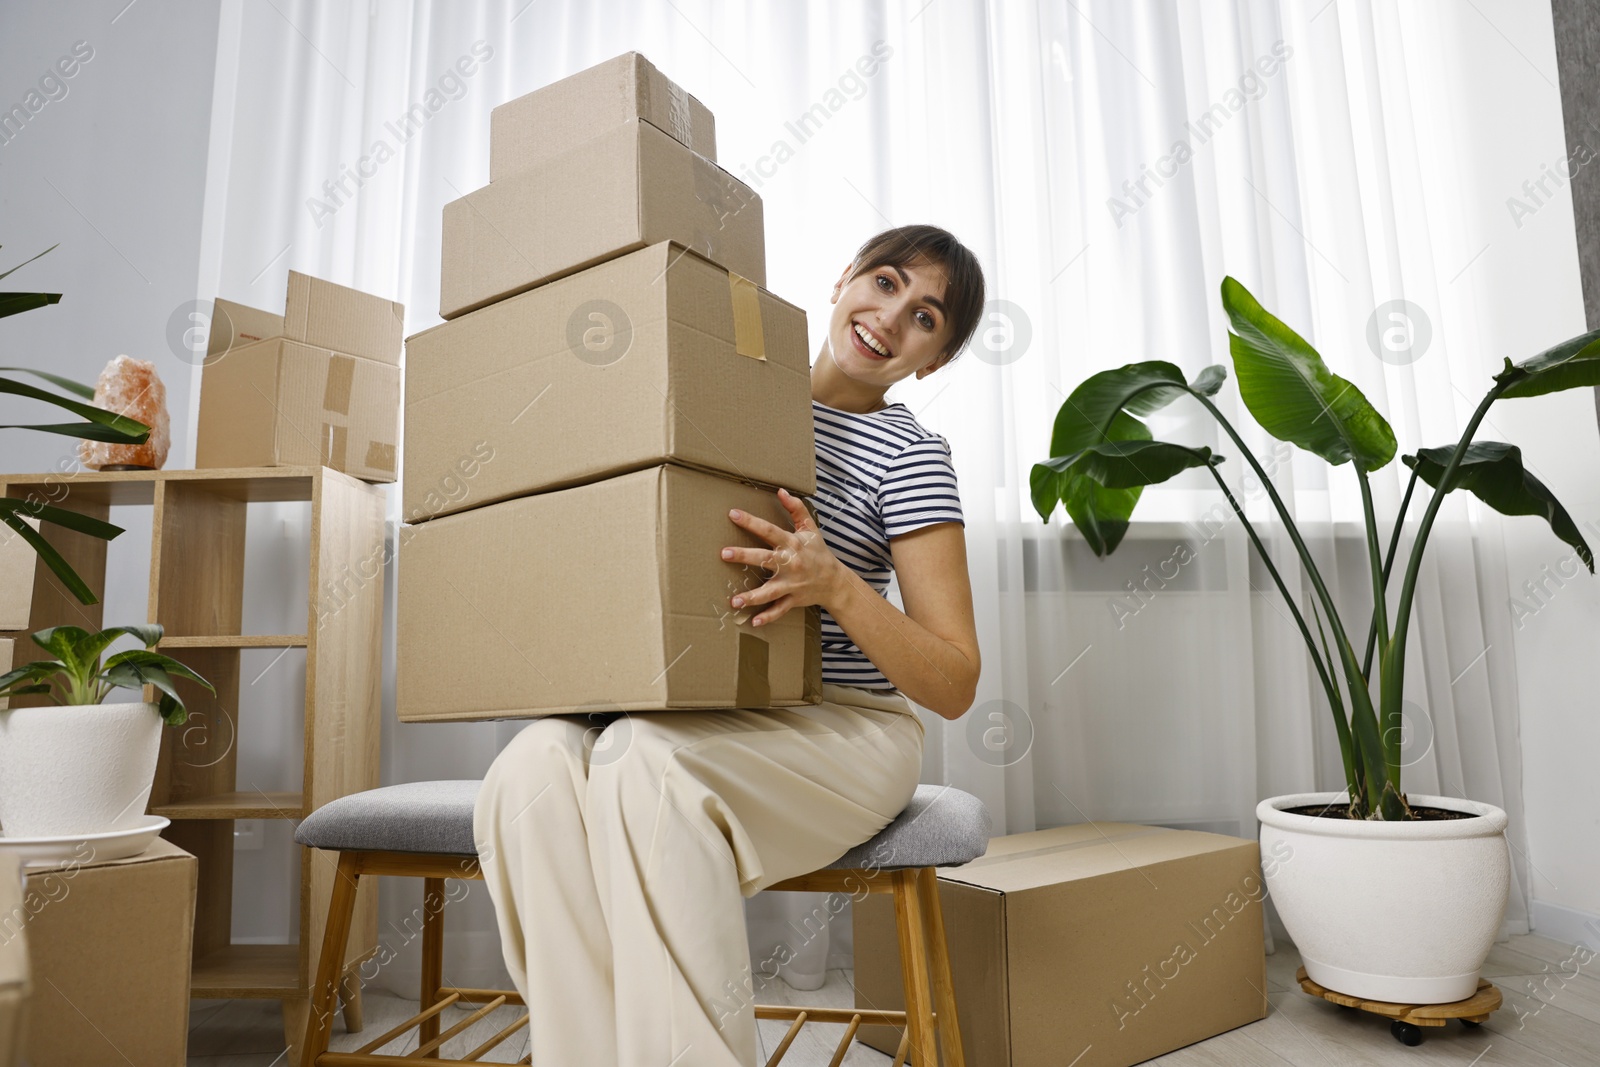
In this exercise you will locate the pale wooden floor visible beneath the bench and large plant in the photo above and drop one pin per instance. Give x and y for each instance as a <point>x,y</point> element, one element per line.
<point>1551,1020</point>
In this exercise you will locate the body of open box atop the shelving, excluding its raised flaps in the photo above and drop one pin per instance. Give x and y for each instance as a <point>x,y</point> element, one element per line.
<point>284,404</point>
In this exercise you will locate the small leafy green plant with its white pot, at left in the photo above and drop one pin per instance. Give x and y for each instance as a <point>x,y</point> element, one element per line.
<point>82,765</point>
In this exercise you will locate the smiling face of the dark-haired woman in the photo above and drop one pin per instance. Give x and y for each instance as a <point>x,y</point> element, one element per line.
<point>889,324</point>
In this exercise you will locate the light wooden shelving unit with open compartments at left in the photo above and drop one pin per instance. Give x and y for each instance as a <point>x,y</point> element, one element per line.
<point>198,594</point>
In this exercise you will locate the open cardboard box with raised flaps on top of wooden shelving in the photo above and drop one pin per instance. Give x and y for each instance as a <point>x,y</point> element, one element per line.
<point>316,386</point>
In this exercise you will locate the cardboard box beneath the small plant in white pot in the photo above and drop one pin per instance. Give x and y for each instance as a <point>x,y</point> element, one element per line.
<point>110,945</point>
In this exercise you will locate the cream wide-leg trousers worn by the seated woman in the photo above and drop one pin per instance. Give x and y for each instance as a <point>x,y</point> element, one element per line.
<point>618,852</point>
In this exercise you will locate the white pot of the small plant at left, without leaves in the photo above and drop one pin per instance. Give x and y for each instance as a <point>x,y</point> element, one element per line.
<point>76,769</point>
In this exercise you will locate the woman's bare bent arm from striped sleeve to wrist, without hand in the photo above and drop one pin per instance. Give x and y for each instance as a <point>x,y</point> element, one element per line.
<point>930,650</point>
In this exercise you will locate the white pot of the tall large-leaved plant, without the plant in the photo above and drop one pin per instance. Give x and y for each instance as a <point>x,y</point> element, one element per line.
<point>1390,911</point>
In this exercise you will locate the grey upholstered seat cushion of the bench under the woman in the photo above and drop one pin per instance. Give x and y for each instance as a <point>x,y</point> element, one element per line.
<point>940,828</point>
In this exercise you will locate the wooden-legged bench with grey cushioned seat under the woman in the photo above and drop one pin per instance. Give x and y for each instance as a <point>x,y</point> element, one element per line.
<point>425,831</point>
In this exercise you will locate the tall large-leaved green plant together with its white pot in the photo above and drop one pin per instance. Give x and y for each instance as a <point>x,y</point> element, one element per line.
<point>1386,897</point>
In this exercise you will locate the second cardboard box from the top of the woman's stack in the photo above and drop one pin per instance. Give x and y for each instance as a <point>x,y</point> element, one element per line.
<point>620,191</point>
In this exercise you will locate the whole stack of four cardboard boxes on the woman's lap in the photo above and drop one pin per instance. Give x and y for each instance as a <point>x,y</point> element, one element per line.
<point>610,382</point>
